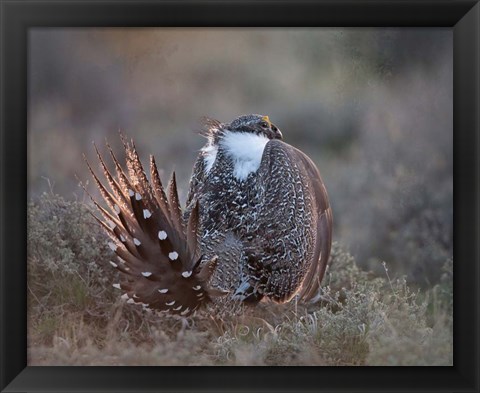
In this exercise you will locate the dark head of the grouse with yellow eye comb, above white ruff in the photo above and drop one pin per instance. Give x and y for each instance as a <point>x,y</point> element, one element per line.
<point>254,124</point>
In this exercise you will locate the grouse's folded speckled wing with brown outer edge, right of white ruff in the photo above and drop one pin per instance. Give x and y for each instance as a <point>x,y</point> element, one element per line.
<point>296,205</point>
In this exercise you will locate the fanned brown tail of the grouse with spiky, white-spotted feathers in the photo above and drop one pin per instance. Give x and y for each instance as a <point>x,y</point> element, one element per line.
<point>157,252</point>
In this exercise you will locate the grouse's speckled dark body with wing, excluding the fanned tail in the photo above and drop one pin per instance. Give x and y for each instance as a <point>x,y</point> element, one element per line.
<point>272,231</point>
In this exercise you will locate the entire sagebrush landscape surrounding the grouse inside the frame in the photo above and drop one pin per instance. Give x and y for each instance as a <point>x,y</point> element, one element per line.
<point>372,108</point>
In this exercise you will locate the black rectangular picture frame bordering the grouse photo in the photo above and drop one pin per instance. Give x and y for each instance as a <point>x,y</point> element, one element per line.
<point>17,17</point>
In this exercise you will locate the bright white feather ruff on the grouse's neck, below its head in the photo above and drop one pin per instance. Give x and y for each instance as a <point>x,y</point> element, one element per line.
<point>244,149</point>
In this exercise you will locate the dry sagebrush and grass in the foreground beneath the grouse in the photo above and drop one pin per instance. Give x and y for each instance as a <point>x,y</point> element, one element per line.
<point>75,317</point>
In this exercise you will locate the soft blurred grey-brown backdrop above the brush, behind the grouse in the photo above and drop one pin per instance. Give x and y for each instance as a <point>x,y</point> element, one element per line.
<point>372,107</point>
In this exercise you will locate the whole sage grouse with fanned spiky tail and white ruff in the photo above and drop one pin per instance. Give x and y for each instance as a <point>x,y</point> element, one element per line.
<point>257,223</point>
